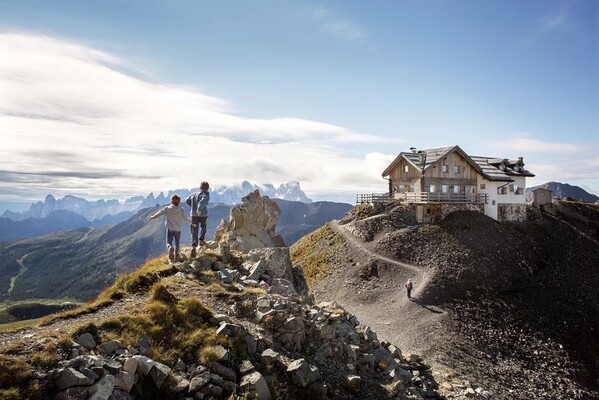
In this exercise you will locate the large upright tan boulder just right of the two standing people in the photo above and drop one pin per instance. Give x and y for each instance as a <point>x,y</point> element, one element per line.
<point>251,224</point>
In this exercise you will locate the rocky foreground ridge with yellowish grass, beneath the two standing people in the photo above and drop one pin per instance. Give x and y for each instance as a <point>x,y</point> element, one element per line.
<point>268,339</point>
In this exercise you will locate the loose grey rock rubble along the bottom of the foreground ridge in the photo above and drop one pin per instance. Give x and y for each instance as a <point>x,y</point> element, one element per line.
<point>316,351</point>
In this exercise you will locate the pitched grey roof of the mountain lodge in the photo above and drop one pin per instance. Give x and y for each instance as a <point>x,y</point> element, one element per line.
<point>492,168</point>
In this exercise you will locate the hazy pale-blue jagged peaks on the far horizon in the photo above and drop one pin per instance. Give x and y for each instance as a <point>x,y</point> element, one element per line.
<point>94,211</point>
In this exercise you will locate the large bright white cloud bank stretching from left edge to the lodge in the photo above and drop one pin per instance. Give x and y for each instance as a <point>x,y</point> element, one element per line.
<point>72,121</point>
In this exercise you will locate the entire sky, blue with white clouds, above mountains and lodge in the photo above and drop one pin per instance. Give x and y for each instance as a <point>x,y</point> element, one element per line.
<point>117,98</point>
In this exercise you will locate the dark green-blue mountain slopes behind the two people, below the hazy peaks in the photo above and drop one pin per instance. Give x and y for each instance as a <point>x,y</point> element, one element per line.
<point>79,263</point>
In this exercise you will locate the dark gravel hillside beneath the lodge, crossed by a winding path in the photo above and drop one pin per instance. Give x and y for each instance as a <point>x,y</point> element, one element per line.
<point>510,306</point>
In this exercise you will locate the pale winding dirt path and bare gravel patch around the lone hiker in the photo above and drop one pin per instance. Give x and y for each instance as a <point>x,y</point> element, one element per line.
<point>411,323</point>
